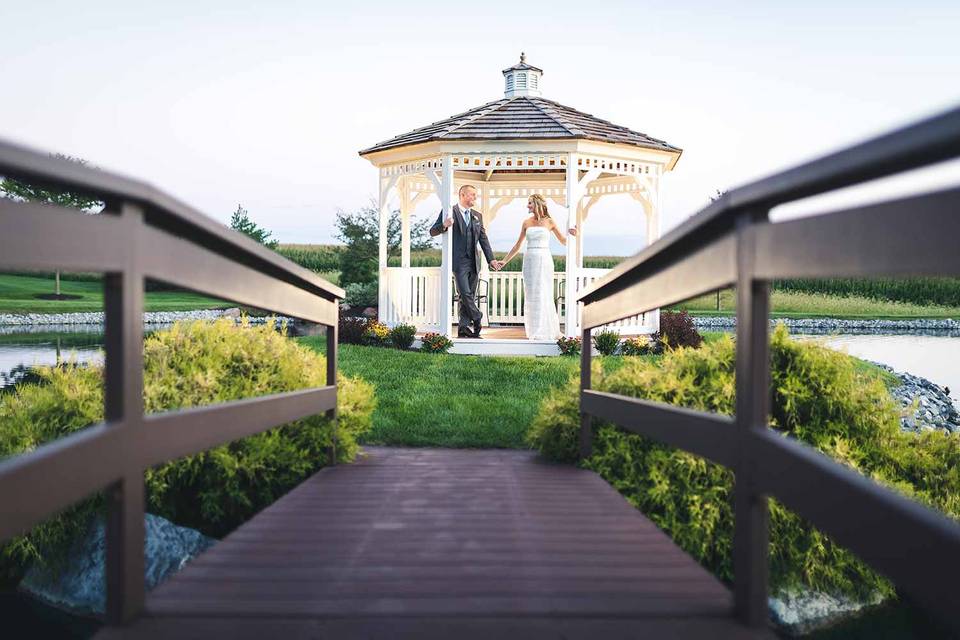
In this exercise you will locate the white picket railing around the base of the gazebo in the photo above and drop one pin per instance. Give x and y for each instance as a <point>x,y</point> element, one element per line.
<point>413,297</point>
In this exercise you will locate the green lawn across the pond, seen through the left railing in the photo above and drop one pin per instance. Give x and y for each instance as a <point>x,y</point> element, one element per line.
<point>18,295</point>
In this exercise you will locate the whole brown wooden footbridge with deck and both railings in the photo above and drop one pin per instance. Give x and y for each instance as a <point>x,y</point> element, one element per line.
<point>479,544</point>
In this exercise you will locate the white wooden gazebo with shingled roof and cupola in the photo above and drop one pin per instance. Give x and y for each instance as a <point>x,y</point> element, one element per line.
<point>509,149</point>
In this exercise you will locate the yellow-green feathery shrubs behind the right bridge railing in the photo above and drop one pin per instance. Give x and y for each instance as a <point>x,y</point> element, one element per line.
<point>819,396</point>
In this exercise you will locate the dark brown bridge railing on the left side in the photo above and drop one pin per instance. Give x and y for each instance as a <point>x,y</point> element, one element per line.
<point>143,233</point>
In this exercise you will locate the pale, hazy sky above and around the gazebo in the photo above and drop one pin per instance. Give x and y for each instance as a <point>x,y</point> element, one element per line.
<point>267,104</point>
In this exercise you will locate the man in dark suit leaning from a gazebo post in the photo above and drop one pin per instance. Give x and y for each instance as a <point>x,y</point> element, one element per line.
<point>468,231</point>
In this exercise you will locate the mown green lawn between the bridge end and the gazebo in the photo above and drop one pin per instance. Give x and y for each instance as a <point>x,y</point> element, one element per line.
<point>445,400</point>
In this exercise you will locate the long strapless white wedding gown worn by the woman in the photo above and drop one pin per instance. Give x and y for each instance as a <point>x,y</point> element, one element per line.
<point>540,319</point>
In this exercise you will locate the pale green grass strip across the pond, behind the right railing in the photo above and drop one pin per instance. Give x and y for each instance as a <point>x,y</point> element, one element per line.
<point>791,304</point>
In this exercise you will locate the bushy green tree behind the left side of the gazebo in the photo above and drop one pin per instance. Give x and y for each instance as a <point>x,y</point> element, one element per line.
<point>360,231</point>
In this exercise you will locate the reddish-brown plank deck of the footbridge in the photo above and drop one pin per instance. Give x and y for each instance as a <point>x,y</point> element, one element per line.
<point>442,543</point>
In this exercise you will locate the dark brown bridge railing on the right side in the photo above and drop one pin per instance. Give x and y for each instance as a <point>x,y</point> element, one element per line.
<point>732,242</point>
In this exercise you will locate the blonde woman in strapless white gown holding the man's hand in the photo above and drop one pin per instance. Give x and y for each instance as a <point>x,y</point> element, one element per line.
<point>540,319</point>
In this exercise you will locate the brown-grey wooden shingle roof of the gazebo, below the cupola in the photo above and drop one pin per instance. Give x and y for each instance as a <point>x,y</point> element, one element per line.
<point>522,118</point>
